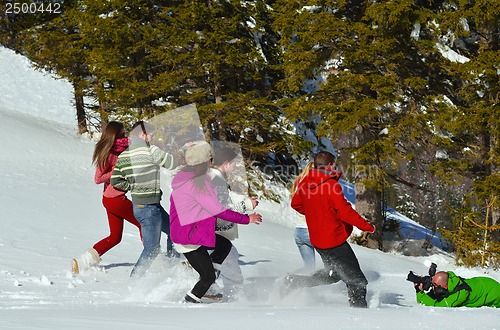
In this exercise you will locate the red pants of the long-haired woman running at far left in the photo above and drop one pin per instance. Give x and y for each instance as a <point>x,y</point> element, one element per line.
<point>118,209</point>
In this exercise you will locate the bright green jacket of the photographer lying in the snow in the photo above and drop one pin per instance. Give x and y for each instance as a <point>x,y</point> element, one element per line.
<point>484,291</point>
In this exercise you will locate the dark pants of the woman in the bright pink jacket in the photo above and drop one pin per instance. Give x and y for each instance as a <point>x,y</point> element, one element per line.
<point>201,261</point>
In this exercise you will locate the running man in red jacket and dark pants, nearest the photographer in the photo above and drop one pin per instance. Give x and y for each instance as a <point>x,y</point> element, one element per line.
<point>330,219</point>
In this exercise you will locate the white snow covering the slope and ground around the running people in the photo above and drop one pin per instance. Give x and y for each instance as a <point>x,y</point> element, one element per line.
<point>51,211</point>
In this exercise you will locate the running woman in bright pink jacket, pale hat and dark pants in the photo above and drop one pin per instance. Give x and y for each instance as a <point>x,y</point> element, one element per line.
<point>194,208</point>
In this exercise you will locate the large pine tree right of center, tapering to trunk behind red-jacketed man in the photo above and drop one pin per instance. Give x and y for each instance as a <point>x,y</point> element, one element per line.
<point>373,80</point>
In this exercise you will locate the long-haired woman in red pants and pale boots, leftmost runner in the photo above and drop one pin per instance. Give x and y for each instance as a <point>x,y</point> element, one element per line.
<point>118,206</point>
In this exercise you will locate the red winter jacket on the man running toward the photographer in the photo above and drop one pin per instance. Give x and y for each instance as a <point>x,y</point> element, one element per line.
<point>329,216</point>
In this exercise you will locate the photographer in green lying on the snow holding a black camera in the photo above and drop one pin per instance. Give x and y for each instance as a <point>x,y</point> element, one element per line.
<point>449,290</point>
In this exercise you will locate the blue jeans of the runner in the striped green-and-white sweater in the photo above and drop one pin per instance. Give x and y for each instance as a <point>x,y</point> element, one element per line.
<point>153,219</point>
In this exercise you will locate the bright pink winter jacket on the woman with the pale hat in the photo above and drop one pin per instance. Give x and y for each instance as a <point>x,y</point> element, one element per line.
<point>193,212</point>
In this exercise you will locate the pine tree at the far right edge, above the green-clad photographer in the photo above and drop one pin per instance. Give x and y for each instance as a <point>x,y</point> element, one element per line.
<point>469,125</point>
